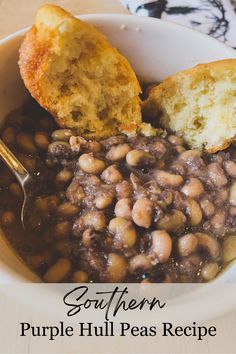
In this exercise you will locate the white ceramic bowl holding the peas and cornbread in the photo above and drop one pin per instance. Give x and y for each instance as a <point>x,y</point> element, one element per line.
<point>155,49</point>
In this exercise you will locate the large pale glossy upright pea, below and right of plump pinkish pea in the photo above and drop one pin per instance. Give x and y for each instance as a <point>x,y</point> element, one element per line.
<point>161,246</point>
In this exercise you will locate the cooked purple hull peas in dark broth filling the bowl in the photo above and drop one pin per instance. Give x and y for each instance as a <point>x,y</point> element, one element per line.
<point>123,209</point>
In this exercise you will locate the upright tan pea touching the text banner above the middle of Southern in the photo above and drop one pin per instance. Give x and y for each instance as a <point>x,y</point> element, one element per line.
<point>116,268</point>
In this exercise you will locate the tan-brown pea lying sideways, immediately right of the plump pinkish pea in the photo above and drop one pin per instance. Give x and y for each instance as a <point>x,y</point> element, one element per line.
<point>172,221</point>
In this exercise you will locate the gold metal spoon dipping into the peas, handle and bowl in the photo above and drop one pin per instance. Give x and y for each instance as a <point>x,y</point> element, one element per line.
<point>21,174</point>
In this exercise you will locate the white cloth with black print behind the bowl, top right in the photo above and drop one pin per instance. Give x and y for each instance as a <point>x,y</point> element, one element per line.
<point>213,17</point>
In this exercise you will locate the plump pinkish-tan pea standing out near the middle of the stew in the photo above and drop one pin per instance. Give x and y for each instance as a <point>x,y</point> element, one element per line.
<point>142,212</point>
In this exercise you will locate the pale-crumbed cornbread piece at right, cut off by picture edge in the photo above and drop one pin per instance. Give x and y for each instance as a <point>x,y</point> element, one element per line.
<point>198,104</point>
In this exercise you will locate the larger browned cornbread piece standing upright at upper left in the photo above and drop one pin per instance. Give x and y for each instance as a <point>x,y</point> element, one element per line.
<point>73,72</point>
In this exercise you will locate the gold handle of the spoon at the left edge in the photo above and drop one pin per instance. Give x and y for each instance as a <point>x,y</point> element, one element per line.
<point>13,163</point>
